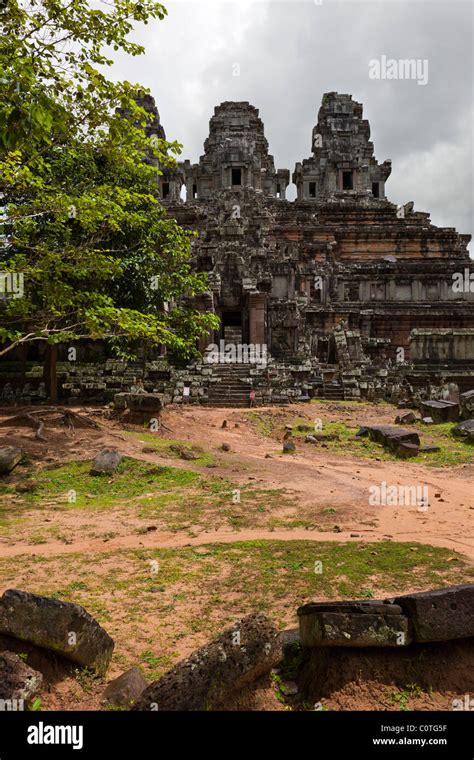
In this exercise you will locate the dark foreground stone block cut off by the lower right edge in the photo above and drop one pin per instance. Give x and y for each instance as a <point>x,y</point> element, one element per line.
<point>442,614</point>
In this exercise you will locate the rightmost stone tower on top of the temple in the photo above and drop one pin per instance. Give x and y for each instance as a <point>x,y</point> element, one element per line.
<point>343,161</point>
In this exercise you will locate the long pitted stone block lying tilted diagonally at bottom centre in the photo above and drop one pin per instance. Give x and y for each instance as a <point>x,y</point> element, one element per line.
<point>204,681</point>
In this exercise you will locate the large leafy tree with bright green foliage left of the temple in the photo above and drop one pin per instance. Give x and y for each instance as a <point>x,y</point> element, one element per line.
<point>97,254</point>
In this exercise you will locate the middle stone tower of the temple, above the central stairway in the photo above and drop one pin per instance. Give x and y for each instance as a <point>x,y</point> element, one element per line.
<point>235,156</point>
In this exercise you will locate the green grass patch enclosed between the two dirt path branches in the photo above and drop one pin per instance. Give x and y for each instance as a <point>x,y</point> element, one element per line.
<point>172,498</point>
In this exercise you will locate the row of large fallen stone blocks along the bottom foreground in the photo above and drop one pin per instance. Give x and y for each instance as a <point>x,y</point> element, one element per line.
<point>244,652</point>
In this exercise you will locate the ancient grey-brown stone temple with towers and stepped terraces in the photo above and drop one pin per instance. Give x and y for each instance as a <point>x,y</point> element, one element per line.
<point>350,294</point>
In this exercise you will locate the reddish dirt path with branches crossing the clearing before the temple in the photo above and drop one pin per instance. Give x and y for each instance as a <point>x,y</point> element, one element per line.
<point>313,477</point>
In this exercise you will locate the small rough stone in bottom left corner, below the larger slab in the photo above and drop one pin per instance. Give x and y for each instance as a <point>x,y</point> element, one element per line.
<point>18,682</point>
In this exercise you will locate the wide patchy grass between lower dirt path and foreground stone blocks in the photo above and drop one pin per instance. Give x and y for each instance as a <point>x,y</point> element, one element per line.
<point>192,593</point>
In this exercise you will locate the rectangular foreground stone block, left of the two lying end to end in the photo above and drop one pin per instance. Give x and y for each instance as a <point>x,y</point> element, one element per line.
<point>354,624</point>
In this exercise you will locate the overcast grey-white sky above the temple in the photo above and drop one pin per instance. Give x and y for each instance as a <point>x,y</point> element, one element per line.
<point>290,52</point>
